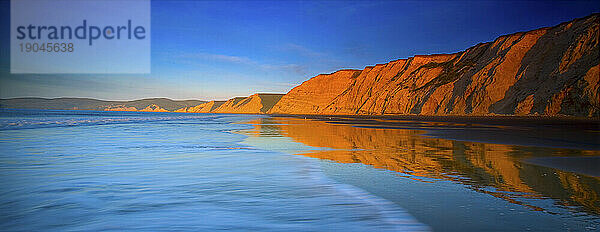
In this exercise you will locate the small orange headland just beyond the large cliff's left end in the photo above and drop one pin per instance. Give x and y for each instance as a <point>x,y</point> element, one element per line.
<point>256,104</point>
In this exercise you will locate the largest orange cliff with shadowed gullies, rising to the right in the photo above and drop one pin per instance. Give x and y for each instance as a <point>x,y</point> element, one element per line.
<point>548,71</point>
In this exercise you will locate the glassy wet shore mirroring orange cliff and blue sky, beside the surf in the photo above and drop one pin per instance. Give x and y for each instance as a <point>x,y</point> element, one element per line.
<point>454,185</point>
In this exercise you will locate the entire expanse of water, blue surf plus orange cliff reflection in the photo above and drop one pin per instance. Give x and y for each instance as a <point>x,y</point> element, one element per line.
<point>85,170</point>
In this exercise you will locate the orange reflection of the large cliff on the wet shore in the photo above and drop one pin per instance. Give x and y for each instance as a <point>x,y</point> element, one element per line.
<point>496,169</point>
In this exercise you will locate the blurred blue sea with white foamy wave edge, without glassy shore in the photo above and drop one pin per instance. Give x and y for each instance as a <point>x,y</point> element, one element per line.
<point>87,171</point>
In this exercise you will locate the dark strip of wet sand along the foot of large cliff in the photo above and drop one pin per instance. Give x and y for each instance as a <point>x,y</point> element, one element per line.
<point>565,132</point>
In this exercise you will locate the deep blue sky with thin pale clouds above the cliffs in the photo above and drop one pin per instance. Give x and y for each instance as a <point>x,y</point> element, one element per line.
<point>216,50</point>
